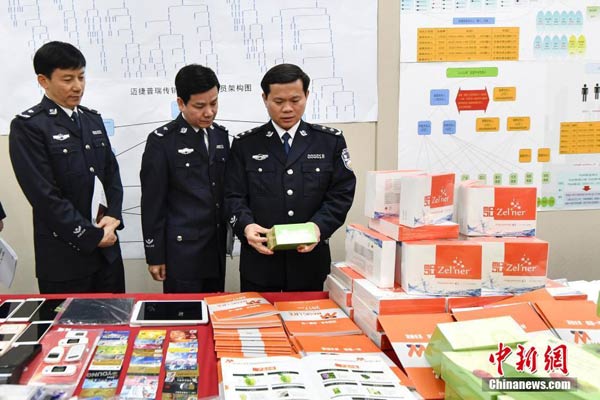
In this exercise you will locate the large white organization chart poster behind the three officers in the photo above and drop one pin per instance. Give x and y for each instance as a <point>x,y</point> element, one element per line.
<point>135,48</point>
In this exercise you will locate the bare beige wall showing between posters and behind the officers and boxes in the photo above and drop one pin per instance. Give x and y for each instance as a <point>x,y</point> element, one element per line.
<point>573,235</point>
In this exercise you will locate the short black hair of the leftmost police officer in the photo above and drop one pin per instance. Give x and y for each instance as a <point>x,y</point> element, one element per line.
<point>55,55</point>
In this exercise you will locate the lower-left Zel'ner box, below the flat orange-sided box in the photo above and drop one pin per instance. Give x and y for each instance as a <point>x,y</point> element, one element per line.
<point>441,268</point>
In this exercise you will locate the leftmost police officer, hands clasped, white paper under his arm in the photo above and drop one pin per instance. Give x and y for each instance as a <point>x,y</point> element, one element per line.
<point>63,161</point>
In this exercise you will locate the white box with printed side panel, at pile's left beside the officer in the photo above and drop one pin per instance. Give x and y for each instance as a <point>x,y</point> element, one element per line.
<point>371,254</point>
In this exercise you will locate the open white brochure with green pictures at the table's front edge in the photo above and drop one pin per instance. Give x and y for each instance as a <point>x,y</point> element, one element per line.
<point>343,376</point>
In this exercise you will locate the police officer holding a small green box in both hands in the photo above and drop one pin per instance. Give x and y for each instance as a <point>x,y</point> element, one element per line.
<point>287,171</point>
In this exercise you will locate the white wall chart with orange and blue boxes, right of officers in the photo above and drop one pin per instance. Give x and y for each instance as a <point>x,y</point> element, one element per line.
<point>504,91</point>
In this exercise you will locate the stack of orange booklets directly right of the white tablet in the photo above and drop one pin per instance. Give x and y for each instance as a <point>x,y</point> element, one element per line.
<point>246,325</point>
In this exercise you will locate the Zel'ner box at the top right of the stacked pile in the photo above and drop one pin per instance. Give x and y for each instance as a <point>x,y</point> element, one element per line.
<point>485,210</point>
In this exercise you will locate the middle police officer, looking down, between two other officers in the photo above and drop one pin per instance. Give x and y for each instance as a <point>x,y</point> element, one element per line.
<point>182,175</point>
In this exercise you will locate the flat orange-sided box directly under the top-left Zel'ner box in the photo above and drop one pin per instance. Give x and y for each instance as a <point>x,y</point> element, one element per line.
<point>390,227</point>
